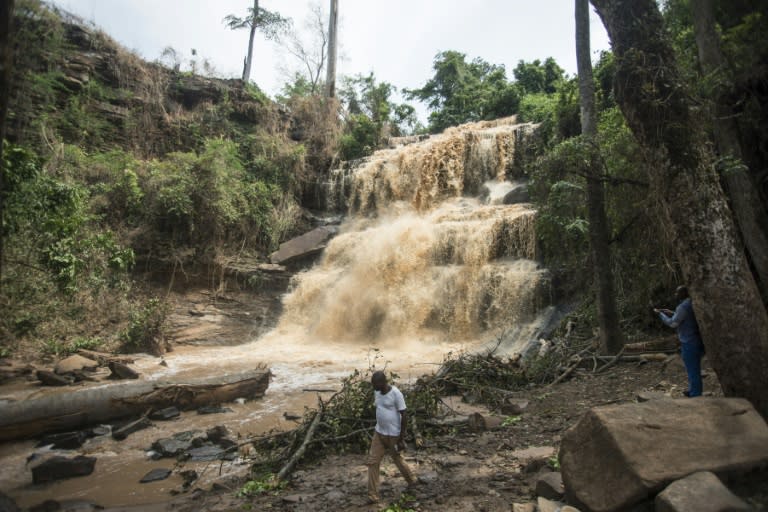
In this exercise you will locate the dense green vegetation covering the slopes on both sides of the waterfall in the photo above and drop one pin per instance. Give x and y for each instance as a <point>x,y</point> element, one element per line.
<point>116,166</point>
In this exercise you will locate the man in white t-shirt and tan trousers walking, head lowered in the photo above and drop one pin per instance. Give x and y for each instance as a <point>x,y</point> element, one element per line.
<point>389,436</point>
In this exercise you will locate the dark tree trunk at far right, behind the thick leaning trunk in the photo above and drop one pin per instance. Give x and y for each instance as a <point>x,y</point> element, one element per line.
<point>745,199</point>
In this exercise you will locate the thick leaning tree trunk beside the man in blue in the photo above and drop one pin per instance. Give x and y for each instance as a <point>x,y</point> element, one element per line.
<point>731,315</point>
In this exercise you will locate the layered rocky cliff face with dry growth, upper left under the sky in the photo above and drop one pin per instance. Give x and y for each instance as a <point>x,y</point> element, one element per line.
<point>74,84</point>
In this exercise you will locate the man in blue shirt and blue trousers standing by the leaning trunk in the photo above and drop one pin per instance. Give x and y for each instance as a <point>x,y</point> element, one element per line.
<point>691,346</point>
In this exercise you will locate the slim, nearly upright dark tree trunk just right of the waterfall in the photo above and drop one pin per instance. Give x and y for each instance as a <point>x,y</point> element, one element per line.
<point>611,339</point>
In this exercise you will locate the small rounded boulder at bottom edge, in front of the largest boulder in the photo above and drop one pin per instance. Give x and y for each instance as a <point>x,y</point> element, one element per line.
<point>699,492</point>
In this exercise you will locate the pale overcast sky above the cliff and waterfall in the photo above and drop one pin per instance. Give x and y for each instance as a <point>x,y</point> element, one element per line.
<point>396,39</point>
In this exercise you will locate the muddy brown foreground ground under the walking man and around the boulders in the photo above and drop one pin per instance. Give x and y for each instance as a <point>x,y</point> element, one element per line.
<point>463,470</point>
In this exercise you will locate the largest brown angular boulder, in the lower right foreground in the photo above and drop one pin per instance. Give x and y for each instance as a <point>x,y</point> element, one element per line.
<point>619,455</point>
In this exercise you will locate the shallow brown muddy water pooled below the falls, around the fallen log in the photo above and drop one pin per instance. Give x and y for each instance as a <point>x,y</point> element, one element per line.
<point>121,464</point>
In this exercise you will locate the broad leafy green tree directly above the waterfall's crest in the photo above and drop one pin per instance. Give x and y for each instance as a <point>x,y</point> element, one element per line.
<point>462,91</point>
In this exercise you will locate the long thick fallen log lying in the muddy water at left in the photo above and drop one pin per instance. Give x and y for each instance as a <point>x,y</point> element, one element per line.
<point>72,409</point>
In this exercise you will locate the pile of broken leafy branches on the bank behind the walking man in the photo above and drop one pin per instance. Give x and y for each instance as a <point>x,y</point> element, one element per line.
<point>344,422</point>
